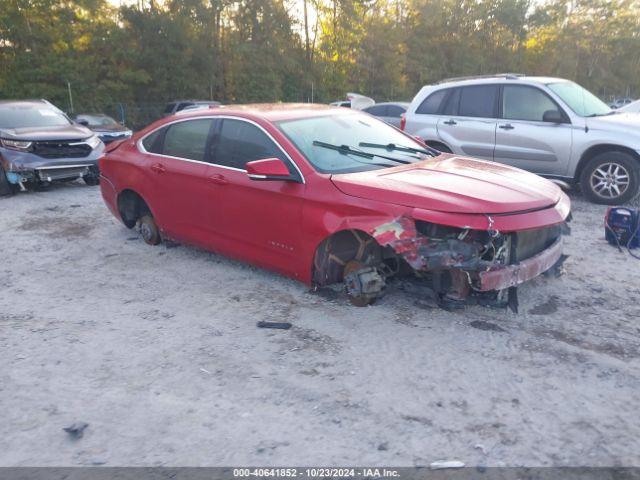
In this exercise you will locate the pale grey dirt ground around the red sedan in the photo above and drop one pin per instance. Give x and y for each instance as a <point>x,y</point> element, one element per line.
<point>157,349</point>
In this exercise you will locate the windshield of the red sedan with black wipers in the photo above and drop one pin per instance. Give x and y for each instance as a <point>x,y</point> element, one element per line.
<point>351,130</point>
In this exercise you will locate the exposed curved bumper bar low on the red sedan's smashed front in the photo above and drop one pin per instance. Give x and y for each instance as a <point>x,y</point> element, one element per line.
<point>500,277</point>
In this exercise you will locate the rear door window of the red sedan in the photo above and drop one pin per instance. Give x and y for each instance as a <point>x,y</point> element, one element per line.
<point>187,139</point>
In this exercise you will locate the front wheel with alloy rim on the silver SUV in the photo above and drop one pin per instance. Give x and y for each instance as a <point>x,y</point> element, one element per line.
<point>611,178</point>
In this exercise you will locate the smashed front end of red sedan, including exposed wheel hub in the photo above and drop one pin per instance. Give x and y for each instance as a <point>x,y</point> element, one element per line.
<point>467,259</point>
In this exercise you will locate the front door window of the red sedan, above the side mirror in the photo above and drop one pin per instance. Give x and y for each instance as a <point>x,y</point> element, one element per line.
<point>239,142</point>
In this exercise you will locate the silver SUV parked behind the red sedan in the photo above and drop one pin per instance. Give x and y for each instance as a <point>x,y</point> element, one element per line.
<point>549,126</point>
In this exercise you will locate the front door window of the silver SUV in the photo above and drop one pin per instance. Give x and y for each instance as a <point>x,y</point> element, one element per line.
<point>525,103</point>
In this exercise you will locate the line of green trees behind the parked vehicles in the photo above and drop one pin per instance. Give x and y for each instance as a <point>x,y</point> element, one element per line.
<point>97,55</point>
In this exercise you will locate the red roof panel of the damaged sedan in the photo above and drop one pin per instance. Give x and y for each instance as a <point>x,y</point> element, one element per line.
<point>273,112</point>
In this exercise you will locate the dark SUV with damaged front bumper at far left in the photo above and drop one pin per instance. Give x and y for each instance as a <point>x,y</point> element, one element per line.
<point>39,144</point>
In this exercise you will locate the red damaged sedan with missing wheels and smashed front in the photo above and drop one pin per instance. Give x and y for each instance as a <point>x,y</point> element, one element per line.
<point>329,195</point>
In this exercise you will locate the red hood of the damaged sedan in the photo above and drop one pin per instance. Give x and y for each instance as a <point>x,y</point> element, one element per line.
<point>453,184</point>
